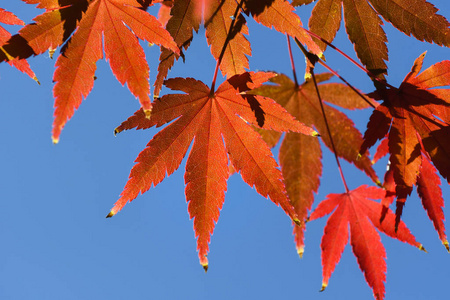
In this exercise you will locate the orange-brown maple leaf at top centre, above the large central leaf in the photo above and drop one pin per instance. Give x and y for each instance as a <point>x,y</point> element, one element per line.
<point>218,18</point>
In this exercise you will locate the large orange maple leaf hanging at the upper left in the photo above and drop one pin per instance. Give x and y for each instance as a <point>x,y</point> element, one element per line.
<point>82,25</point>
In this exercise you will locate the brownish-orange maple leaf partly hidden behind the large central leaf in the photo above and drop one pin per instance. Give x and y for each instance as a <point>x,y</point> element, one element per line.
<point>300,156</point>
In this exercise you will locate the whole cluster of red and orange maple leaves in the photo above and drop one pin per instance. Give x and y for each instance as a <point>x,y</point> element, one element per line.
<point>234,125</point>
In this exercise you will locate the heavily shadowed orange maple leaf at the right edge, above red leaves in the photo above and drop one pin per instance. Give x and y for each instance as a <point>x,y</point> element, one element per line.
<point>415,118</point>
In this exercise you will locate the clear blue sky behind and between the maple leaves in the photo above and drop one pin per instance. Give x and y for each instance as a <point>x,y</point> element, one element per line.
<point>57,244</point>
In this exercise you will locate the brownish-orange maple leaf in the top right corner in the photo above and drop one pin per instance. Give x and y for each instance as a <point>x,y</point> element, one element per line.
<point>363,24</point>
